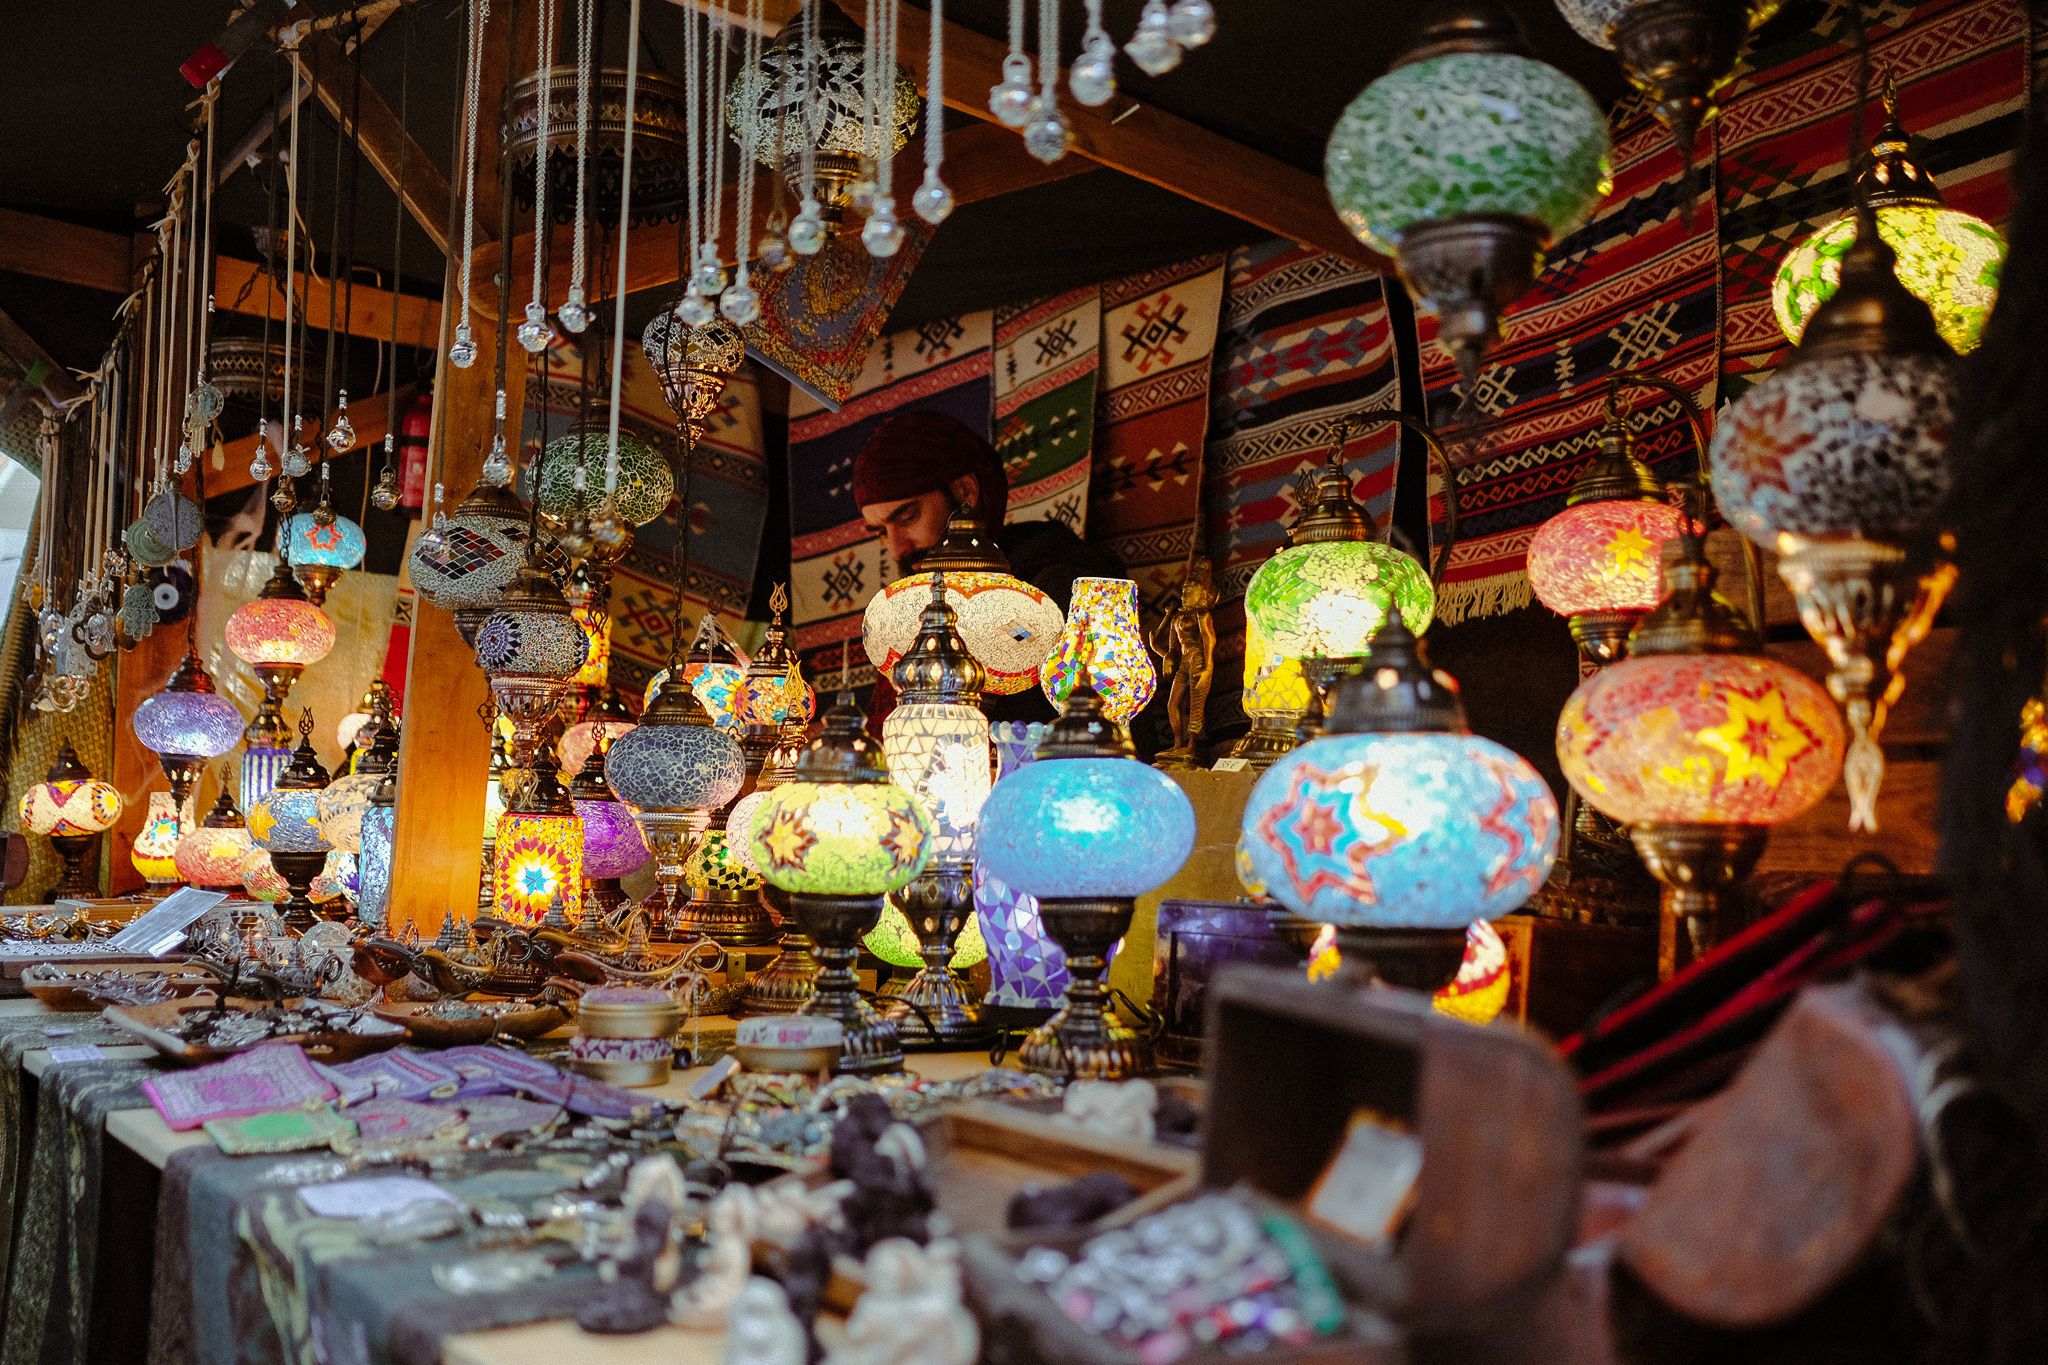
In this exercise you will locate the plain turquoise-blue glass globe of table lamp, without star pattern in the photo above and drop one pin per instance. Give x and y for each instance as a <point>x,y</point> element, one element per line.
<point>1086,828</point>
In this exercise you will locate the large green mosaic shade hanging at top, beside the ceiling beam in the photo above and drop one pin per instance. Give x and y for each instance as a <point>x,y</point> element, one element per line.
<point>1467,134</point>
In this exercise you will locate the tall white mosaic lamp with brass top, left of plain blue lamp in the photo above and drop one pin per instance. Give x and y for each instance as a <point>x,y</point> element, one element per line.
<point>937,746</point>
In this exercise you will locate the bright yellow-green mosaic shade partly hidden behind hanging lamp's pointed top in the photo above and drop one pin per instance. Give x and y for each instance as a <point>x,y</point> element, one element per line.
<point>1949,261</point>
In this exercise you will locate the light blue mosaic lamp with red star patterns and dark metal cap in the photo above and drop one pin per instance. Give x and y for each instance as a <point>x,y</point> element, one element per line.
<point>1400,826</point>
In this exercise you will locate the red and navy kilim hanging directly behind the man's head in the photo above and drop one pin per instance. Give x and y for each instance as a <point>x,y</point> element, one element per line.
<point>837,564</point>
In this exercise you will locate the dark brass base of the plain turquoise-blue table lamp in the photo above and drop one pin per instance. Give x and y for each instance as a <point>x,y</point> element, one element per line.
<point>1086,1041</point>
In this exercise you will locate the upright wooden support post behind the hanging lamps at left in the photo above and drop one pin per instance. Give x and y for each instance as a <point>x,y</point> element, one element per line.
<point>447,750</point>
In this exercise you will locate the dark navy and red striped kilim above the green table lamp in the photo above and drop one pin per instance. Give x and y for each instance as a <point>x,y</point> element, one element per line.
<point>1304,343</point>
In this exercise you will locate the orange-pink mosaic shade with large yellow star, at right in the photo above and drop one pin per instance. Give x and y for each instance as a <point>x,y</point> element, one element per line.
<point>1701,740</point>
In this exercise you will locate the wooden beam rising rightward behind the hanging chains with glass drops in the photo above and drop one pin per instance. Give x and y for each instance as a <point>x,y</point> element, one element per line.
<point>982,163</point>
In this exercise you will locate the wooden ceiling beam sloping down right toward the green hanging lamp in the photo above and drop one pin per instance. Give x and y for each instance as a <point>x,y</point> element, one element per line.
<point>1148,144</point>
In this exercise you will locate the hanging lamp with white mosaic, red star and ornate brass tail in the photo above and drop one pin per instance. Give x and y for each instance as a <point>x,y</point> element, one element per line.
<point>1840,466</point>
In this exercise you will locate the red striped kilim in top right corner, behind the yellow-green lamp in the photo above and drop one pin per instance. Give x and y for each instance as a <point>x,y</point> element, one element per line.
<point>1785,138</point>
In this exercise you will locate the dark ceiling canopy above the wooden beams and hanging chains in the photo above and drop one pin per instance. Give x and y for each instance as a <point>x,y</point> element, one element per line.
<point>101,124</point>
